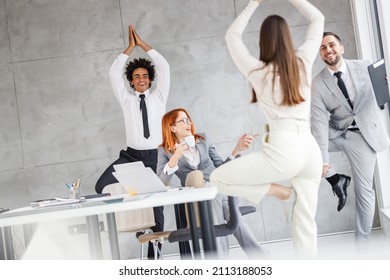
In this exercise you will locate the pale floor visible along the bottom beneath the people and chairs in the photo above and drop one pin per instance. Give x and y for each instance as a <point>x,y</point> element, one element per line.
<point>330,247</point>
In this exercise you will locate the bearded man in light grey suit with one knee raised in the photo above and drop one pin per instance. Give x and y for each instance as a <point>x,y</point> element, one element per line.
<point>345,117</point>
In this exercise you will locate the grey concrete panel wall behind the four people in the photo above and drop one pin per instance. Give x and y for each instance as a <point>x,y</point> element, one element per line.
<point>59,120</point>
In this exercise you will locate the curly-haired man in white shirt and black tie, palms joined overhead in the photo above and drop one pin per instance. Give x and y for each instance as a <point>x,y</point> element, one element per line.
<point>143,127</point>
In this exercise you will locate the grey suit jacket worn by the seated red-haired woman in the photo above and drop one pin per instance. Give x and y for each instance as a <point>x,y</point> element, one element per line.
<point>209,160</point>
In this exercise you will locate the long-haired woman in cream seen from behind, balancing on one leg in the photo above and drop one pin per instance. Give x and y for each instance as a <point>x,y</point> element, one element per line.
<point>281,80</point>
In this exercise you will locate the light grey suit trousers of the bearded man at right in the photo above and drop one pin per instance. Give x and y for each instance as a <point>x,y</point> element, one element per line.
<point>362,159</point>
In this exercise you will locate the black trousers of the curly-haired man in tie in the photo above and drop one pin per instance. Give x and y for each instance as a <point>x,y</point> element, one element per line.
<point>149,158</point>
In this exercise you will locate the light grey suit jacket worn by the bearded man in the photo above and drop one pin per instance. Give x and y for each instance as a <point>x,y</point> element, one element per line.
<point>331,114</point>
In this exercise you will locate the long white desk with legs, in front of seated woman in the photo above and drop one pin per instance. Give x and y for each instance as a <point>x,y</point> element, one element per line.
<point>91,210</point>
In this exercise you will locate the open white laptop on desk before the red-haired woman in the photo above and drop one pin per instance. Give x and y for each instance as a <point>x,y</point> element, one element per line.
<point>140,181</point>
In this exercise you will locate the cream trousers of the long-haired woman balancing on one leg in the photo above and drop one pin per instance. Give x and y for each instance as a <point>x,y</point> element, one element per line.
<point>290,152</point>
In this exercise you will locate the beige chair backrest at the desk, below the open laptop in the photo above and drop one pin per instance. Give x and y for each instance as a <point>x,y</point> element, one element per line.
<point>131,220</point>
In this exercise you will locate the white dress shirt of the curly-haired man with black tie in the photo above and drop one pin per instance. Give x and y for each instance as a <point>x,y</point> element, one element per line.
<point>155,99</point>
